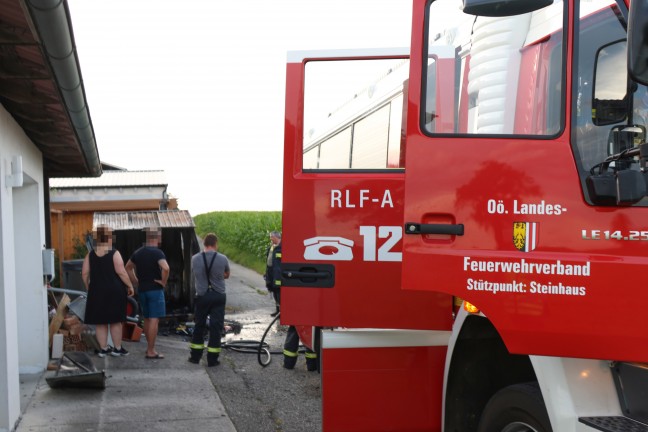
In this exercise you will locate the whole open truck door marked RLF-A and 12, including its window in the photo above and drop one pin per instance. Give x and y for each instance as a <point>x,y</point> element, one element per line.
<point>343,194</point>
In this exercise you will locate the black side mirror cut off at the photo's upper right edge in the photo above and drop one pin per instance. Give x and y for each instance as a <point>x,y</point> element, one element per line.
<point>638,41</point>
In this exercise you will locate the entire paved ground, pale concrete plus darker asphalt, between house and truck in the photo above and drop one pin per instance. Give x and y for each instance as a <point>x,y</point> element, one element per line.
<point>175,395</point>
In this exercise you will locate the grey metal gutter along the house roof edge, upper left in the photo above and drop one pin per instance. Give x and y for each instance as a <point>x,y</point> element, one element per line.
<point>54,29</point>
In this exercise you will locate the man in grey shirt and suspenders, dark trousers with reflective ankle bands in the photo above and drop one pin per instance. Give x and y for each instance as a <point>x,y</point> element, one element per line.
<point>210,269</point>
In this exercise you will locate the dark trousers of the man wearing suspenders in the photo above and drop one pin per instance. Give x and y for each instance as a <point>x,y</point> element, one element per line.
<point>210,304</point>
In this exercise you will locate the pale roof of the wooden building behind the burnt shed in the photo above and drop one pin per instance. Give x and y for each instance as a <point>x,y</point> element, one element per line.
<point>112,179</point>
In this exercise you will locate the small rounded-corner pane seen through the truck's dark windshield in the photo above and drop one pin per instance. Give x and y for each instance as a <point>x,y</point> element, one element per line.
<point>610,90</point>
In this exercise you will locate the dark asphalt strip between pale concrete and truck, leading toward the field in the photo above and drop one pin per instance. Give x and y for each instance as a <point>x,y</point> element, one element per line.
<point>258,398</point>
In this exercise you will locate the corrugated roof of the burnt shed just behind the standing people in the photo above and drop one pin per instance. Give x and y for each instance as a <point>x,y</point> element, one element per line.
<point>142,219</point>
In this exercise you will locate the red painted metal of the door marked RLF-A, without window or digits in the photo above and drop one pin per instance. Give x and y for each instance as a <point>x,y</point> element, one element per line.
<point>363,290</point>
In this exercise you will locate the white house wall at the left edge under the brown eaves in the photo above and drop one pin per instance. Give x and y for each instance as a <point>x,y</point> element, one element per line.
<point>23,296</point>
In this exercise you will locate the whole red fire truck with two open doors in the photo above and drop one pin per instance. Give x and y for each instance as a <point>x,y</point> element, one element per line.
<point>466,224</point>
